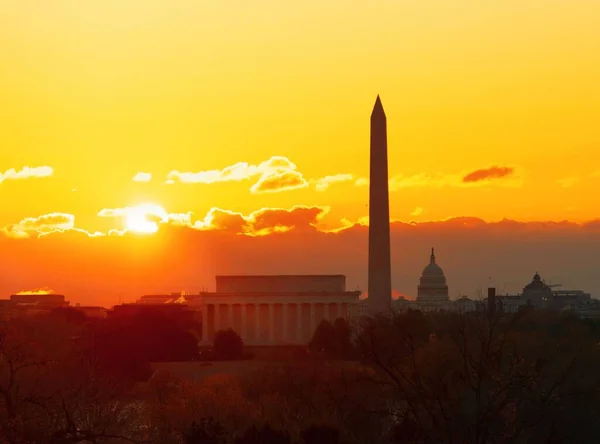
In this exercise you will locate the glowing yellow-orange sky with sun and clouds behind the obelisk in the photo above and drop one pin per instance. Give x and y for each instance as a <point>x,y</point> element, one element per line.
<point>241,117</point>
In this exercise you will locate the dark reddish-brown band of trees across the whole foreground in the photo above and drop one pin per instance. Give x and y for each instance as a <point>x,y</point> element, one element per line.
<point>407,378</point>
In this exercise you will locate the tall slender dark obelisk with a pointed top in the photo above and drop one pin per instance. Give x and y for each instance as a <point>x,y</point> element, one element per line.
<point>380,275</point>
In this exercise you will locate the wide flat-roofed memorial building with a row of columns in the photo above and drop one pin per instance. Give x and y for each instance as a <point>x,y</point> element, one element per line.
<point>273,310</point>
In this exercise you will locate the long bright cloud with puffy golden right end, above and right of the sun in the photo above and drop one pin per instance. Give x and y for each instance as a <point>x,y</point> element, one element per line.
<point>275,174</point>
